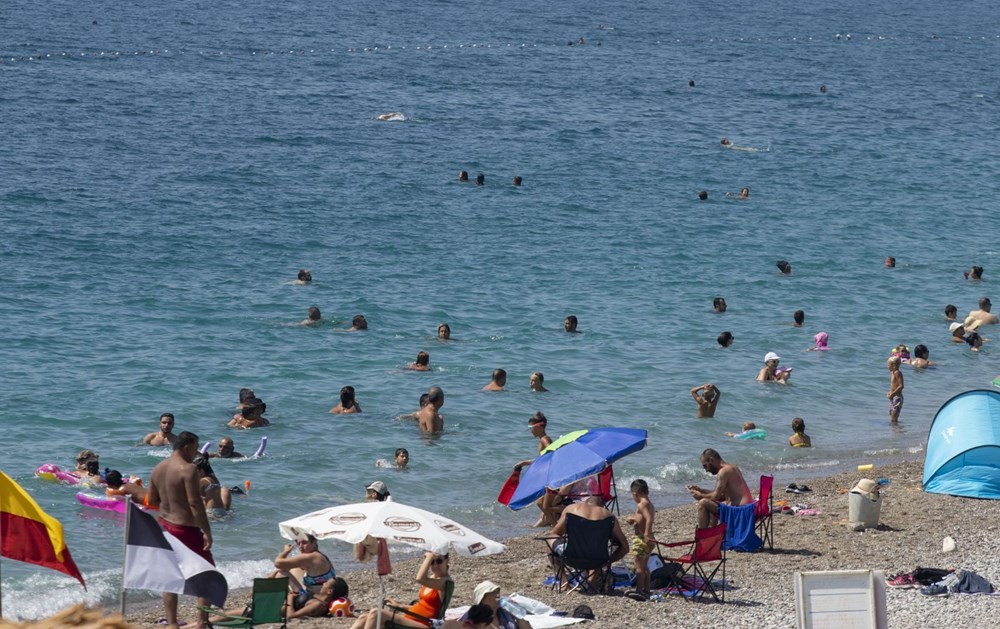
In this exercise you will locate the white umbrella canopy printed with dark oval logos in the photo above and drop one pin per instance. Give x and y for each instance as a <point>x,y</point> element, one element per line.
<point>396,523</point>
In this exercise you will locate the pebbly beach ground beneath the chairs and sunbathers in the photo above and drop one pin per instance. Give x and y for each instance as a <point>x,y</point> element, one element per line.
<point>760,592</point>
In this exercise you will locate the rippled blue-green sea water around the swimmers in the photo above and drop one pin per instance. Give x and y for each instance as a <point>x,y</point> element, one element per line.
<point>169,168</point>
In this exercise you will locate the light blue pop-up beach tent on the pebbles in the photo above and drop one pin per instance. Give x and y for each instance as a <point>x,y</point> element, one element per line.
<point>963,447</point>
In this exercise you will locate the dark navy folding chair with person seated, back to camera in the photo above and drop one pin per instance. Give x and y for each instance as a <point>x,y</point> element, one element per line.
<point>584,561</point>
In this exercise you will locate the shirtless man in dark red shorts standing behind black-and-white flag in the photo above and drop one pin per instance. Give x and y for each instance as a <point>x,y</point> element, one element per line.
<point>174,488</point>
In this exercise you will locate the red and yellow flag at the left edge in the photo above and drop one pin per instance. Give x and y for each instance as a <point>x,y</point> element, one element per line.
<point>29,534</point>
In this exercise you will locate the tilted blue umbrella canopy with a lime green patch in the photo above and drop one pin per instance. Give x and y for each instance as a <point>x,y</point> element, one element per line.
<point>574,456</point>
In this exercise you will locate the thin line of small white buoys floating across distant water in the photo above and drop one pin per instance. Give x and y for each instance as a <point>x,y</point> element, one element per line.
<point>8,58</point>
